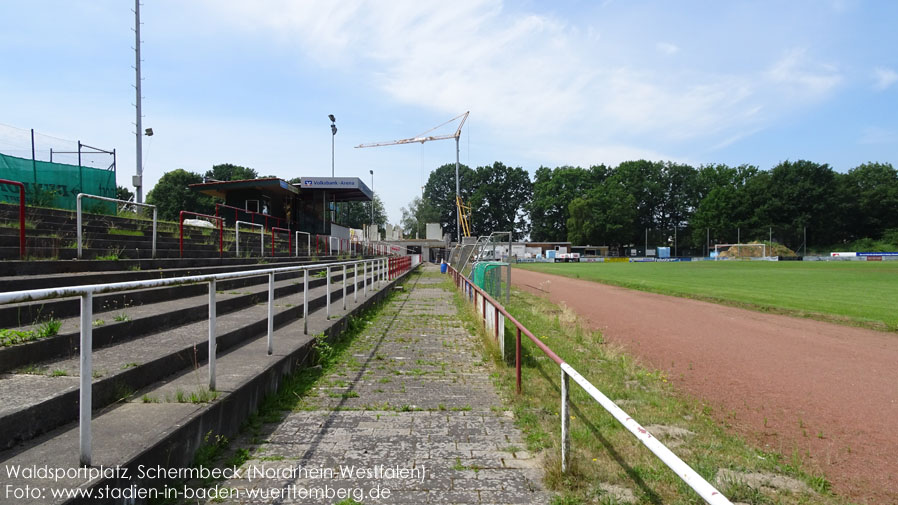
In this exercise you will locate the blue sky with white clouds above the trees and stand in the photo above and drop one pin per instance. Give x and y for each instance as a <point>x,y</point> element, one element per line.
<point>547,83</point>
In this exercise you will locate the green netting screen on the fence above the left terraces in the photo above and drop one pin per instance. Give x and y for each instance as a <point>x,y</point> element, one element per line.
<point>57,184</point>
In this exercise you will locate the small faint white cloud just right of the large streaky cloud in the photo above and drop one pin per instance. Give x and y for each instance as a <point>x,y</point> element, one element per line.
<point>803,77</point>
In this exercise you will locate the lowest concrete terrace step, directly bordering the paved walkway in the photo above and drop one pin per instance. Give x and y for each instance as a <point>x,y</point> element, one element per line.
<point>132,433</point>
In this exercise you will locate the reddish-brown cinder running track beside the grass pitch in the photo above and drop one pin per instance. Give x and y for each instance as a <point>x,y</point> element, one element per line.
<point>795,386</point>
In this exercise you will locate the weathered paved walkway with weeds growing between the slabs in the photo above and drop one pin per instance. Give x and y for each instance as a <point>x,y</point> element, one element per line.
<point>408,416</point>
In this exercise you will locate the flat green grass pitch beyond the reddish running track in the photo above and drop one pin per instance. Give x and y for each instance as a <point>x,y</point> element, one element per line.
<point>857,293</point>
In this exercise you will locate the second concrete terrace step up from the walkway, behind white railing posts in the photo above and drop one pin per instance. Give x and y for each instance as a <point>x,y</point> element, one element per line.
<point>135,362</point>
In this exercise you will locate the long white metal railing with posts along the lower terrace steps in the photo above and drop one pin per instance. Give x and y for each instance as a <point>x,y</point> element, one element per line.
<point>86,293</point>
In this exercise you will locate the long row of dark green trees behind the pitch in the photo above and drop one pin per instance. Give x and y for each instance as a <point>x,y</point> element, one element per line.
<point>669,203</point>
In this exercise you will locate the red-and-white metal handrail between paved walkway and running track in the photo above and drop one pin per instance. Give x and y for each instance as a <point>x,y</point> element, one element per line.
<point>701,486</point>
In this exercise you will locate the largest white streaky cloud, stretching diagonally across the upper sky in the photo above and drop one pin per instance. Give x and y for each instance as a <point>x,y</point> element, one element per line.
<point>521,73</point>
